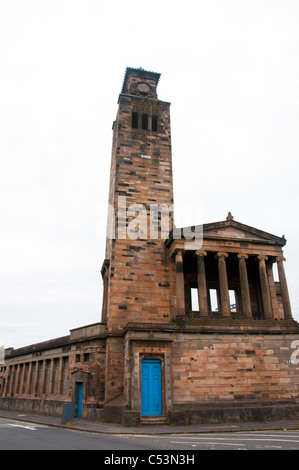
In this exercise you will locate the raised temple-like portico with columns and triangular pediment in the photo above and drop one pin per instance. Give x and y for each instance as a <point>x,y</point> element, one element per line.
<point>232,273</point>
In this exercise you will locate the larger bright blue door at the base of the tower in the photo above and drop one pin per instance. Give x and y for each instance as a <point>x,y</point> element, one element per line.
<point>151,387</point>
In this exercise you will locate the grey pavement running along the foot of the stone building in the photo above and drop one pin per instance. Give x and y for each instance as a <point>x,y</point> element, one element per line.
<point>110,428</point>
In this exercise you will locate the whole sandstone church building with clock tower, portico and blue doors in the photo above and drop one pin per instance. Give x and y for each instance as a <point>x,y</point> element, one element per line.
<point>195,327</point>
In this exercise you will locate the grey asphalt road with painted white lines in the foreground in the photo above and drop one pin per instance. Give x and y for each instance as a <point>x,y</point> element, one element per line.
<point>19,435</point>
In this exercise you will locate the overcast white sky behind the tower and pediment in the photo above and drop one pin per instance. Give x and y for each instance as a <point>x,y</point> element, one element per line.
<point>230,69</point>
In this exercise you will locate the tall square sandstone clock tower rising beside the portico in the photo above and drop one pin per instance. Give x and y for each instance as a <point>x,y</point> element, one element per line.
<point>135,270</point>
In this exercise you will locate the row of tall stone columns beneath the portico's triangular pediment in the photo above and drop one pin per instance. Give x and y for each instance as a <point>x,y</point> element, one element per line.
<point>267,284</point>
